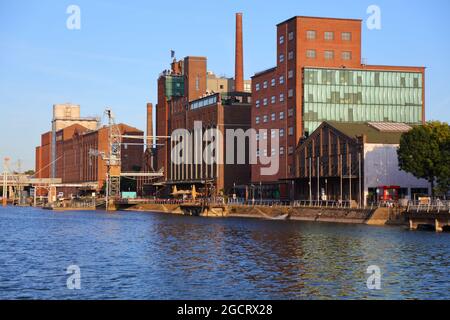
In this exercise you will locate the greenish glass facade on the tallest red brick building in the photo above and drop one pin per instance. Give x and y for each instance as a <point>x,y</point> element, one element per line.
<point>346,95</point>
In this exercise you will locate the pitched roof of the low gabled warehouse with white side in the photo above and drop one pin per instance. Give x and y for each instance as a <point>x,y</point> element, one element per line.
<point>390,135</point>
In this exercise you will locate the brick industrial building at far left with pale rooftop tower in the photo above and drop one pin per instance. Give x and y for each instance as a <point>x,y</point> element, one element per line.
<point>73,151</point>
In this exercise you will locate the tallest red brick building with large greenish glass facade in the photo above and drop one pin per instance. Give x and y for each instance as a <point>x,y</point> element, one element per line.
<point>320,76</point>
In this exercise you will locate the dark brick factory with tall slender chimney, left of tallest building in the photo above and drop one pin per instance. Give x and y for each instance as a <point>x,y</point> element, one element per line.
<point>188,93</point>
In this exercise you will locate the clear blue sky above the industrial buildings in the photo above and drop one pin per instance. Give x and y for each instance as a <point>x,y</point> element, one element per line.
<point>116,57</point>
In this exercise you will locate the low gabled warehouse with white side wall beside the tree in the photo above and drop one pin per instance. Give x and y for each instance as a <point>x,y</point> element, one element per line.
<point>354,162</point>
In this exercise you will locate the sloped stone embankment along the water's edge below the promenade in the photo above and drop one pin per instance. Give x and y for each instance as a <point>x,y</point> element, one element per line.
<point>377,217</point>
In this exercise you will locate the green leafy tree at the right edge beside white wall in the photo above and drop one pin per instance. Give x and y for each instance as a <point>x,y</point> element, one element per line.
<point>425,153</point>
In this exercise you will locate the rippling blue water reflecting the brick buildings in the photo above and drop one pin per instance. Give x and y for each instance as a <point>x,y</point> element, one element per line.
<point>156,256</point>
